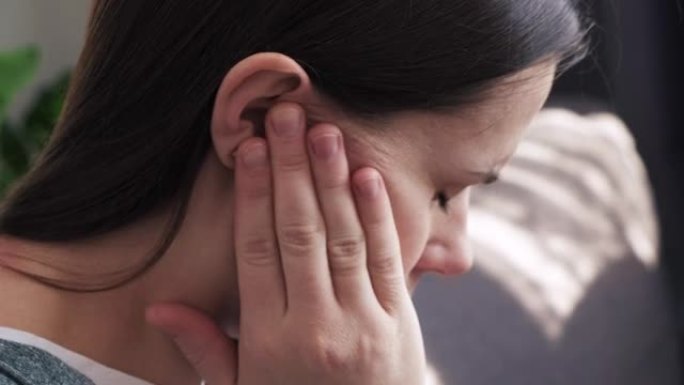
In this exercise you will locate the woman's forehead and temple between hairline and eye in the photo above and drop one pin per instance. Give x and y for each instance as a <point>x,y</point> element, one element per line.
<point>478,138</point>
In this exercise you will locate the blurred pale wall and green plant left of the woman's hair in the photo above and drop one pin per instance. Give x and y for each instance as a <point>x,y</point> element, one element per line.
<point>39,44</point>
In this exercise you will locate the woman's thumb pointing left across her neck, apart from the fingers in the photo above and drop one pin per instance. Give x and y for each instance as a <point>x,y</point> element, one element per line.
<point>203,343</point>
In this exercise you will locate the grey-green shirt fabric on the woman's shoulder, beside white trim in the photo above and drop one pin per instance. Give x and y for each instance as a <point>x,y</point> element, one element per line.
<point>26,365</point>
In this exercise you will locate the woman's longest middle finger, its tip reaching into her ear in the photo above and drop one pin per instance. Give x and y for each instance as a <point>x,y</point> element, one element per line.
<point>299,224</point>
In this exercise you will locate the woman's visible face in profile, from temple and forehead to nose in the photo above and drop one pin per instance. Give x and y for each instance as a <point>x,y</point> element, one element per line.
<point>425,155</point>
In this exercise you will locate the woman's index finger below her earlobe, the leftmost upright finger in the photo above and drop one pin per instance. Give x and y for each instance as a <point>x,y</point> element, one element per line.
<point>260,276</point>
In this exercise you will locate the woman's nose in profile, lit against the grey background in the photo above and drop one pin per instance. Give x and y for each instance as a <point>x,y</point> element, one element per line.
<point>448,250</point>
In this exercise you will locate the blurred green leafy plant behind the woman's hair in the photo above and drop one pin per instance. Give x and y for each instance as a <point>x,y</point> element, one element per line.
<point>21,141</point>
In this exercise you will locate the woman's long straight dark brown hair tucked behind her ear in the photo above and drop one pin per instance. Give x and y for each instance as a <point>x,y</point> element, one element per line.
<point>135,127</point>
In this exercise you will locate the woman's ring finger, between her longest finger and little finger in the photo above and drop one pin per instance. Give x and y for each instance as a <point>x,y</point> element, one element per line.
<point>345,239</point>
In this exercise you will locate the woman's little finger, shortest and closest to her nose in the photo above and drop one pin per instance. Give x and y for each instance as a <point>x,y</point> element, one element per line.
<point>383,247</point>
